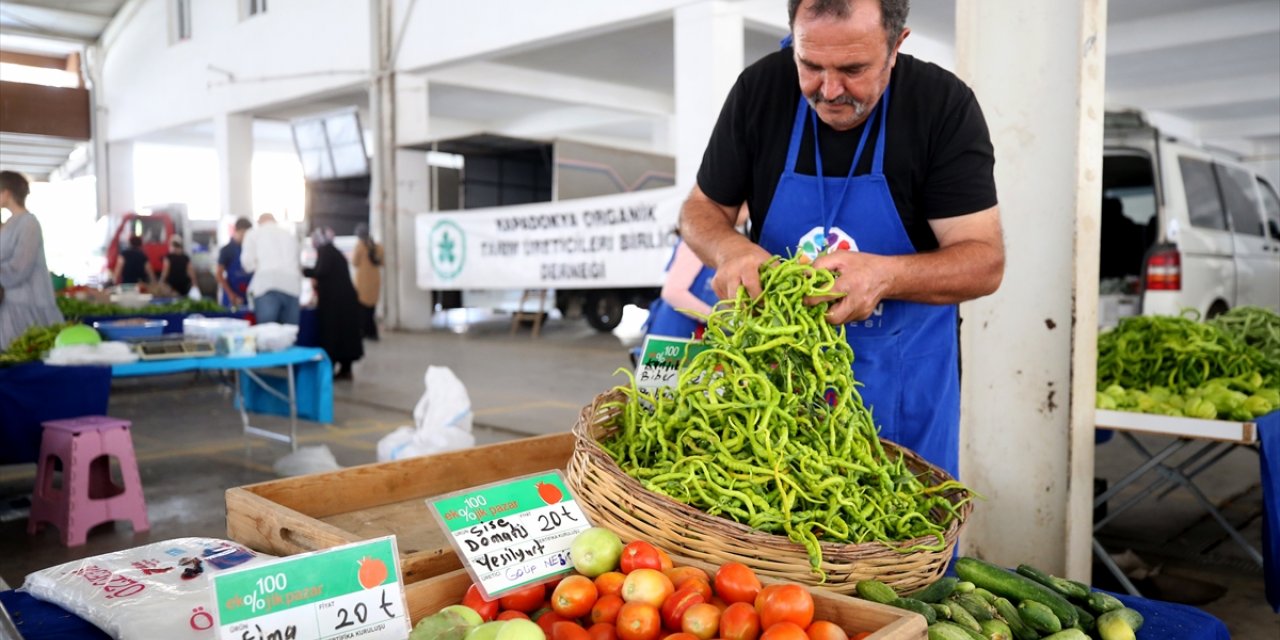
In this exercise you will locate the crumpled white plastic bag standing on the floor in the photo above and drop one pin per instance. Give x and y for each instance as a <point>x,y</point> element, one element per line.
<point>442,419</point>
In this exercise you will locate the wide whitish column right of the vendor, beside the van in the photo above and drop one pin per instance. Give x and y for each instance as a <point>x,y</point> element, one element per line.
<point>1030,351</point>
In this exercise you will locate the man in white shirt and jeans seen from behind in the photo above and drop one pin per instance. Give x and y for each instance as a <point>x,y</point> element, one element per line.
<point>272,255</point>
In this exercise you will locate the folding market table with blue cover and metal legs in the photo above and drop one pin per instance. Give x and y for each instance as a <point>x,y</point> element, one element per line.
<point>307,391</point>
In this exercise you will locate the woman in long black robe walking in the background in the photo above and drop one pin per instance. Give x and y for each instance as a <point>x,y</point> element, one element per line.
<point>337,305</point>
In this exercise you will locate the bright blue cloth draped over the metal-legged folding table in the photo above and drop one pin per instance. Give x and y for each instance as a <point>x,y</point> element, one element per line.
<point>314,380</point>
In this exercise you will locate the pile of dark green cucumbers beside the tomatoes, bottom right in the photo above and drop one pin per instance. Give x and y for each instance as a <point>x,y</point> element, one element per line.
<point>990,602</point>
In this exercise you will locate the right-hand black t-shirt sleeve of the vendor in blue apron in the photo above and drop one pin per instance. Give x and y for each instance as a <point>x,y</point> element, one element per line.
<point>959,175</point>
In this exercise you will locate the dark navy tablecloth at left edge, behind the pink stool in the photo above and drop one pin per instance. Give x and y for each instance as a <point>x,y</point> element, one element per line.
<point>35,394</point>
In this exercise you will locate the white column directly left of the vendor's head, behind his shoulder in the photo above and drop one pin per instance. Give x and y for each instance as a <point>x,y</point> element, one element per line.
<point>708,60</point>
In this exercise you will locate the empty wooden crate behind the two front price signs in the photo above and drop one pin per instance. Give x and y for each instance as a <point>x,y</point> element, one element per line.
<point>319,511</point>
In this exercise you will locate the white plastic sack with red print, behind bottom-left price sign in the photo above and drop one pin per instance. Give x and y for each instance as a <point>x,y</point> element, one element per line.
<point>158,591</point>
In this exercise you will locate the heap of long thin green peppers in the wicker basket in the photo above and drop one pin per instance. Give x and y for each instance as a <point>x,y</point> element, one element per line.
<point>766,428</point>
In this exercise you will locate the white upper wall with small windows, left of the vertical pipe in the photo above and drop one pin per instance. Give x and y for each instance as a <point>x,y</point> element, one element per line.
<point>298,49</point>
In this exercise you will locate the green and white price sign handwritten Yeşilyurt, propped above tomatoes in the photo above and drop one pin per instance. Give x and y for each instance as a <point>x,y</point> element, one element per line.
<point>515,533</point>
